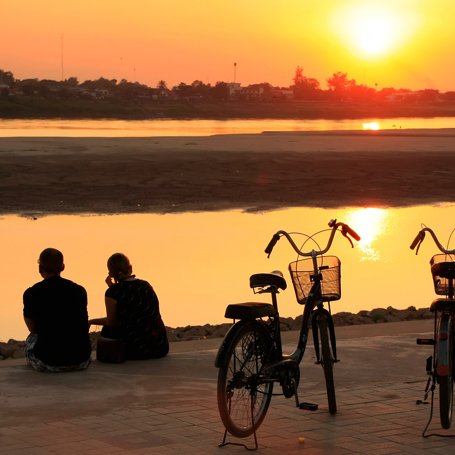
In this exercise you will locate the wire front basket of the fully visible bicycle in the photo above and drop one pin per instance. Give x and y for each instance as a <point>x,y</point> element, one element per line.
<point>302,273</point>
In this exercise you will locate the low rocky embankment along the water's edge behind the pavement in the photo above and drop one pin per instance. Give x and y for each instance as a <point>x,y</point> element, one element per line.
<point>15,349</point>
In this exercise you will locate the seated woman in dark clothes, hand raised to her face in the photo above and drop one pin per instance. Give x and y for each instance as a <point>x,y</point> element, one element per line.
<point>133,313</point>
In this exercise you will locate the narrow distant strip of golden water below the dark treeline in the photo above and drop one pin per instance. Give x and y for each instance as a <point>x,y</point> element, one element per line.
<point>163,127</point>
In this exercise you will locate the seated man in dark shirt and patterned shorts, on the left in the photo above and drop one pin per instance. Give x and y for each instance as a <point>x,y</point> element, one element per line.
<point>55,311</point>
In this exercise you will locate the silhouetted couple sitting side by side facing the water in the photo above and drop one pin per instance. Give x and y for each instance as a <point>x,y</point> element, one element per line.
<point>55,312</point>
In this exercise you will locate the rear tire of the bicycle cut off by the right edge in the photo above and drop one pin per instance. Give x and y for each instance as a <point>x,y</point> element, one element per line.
<point>446,381</point>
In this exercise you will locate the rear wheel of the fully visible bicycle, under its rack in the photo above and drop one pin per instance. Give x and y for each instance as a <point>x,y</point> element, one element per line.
<point>243,399</point>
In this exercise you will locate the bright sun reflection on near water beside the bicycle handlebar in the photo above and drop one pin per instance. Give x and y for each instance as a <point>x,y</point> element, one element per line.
<point>371,224</point>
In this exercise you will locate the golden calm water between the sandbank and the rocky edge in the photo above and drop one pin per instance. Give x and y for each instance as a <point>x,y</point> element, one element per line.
<point>200,262</point>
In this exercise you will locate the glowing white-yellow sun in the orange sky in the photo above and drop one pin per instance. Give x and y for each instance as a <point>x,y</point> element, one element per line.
<point>372,30</point>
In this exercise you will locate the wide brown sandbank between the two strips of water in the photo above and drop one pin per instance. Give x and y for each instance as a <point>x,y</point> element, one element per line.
<point>393,168</point>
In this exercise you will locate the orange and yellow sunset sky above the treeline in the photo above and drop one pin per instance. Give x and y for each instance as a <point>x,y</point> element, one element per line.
<point>391,43</point>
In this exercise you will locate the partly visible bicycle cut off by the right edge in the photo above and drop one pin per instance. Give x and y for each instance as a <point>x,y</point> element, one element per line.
<point>440,365</point>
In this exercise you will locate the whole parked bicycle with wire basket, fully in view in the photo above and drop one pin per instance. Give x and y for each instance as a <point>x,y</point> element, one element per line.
<point>250,358</point>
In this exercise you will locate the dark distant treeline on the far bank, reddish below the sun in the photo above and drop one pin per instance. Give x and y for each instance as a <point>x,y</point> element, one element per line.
<point>104,98</point>
